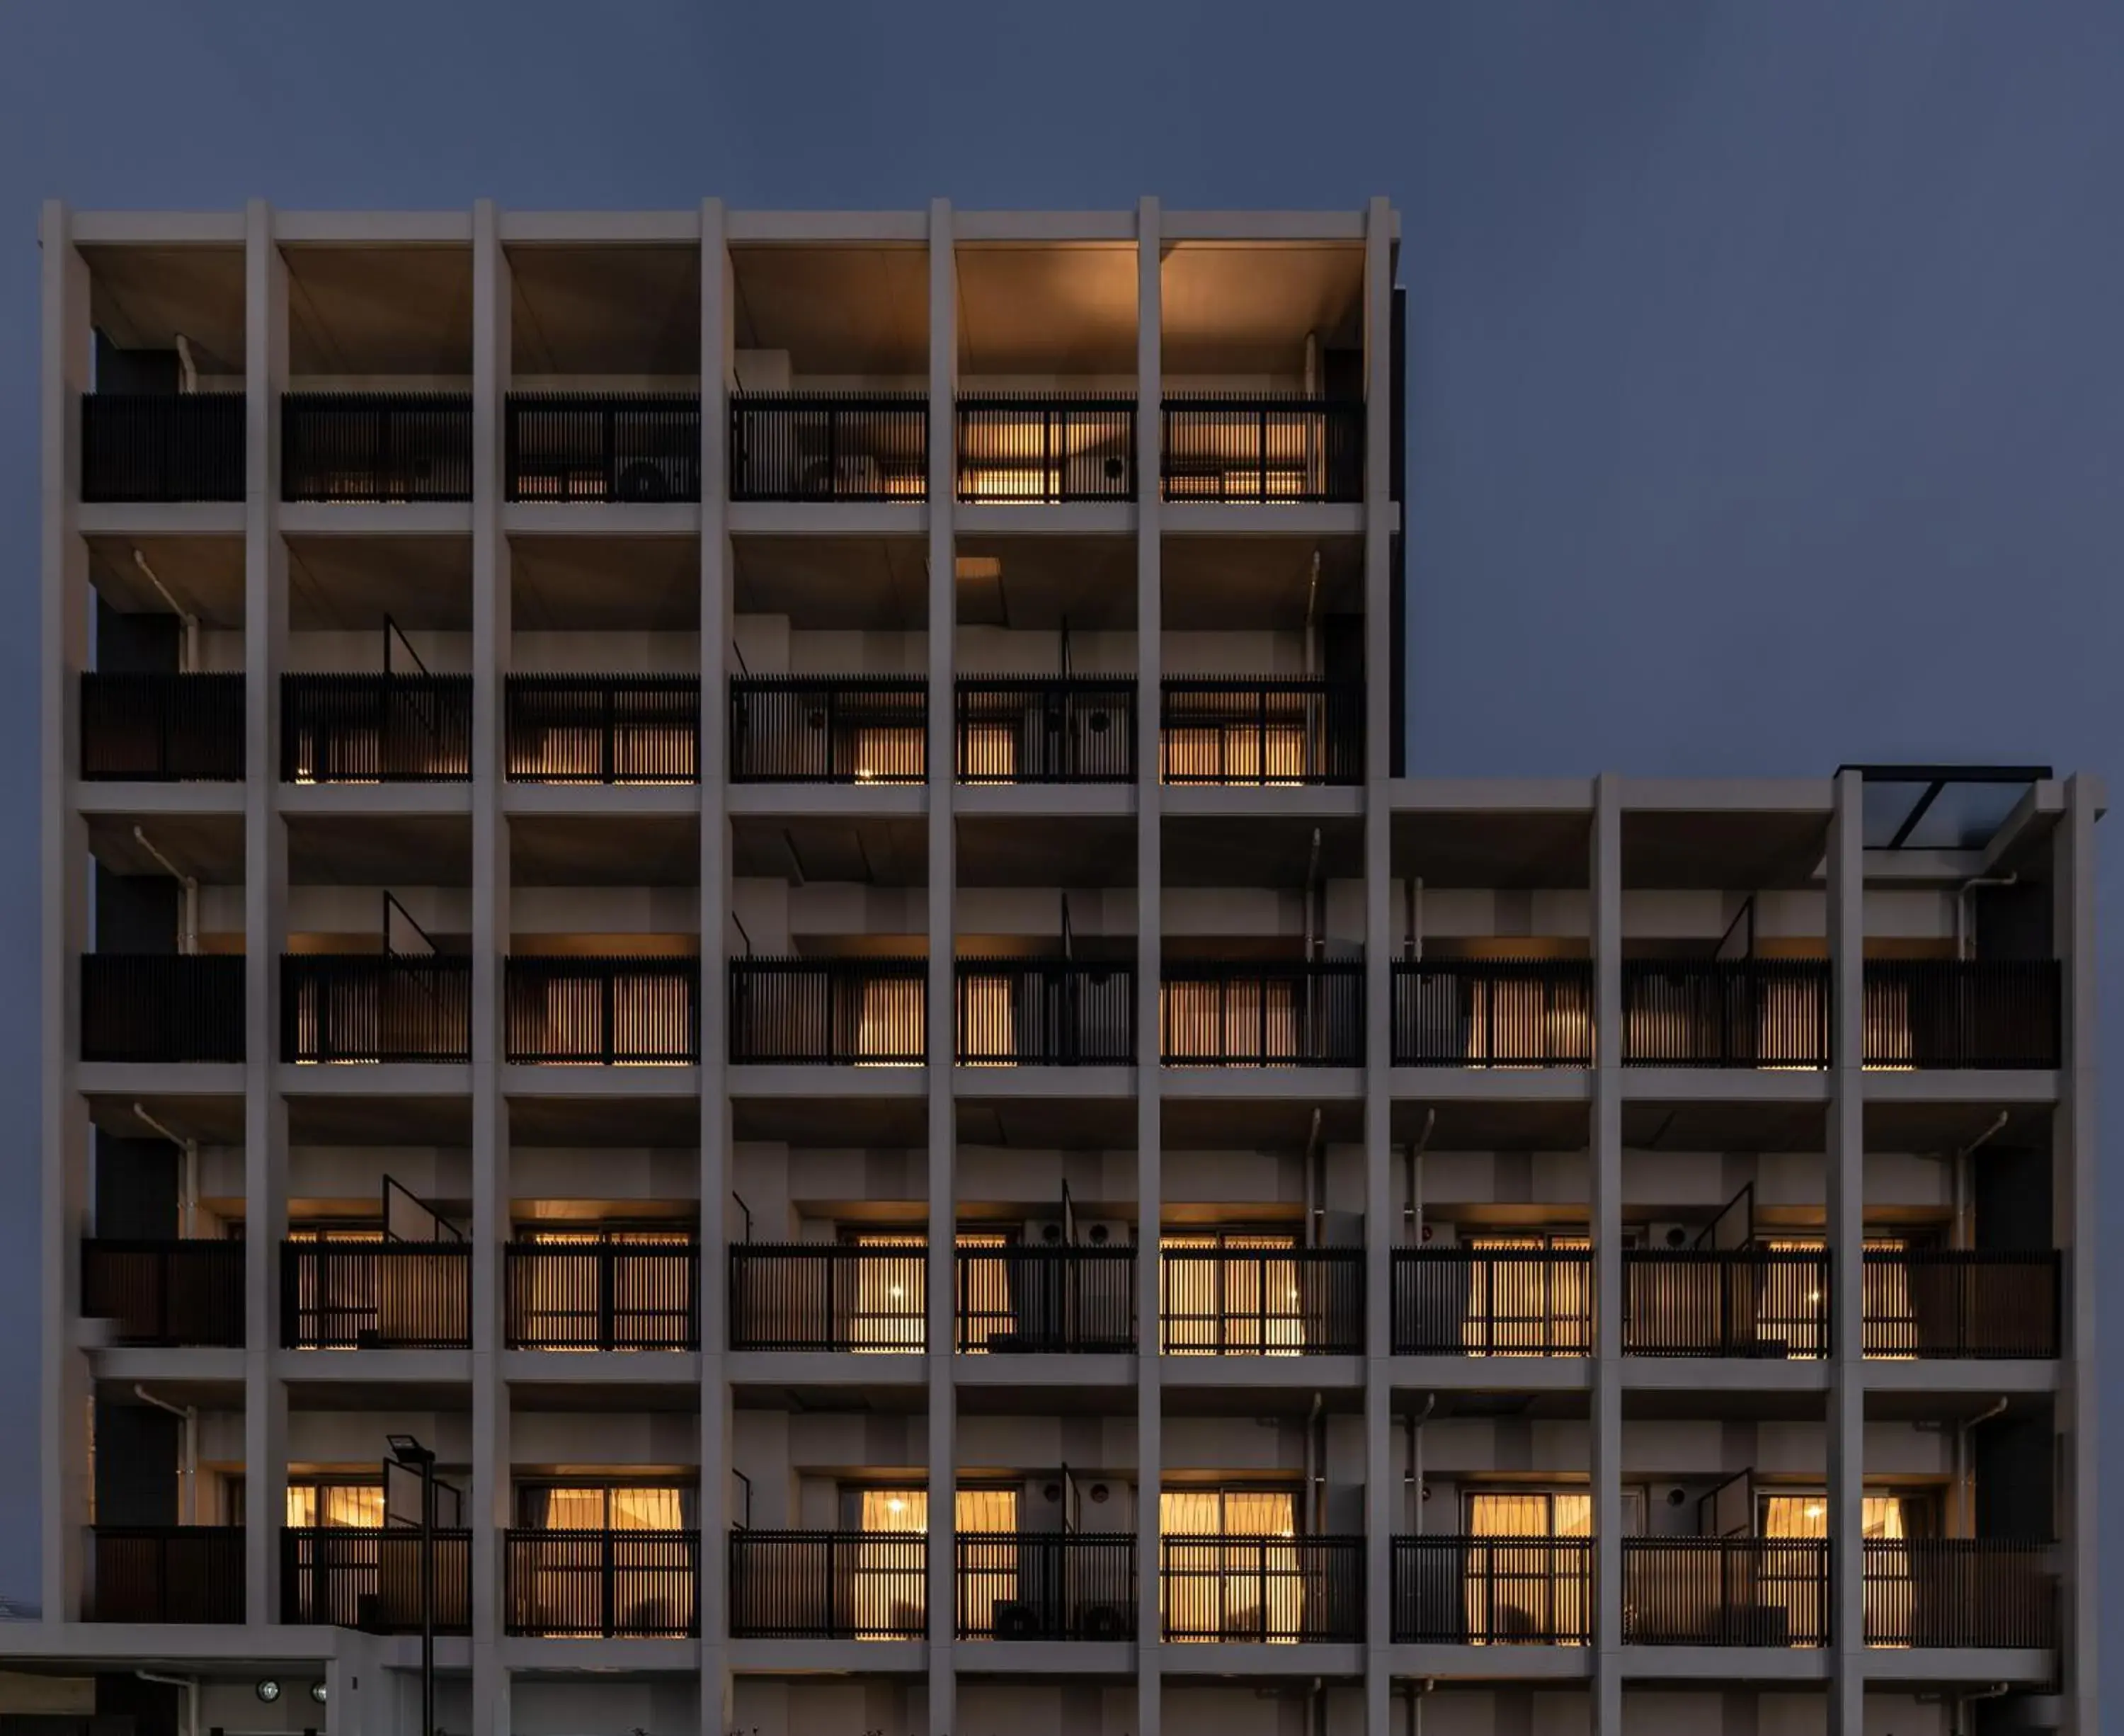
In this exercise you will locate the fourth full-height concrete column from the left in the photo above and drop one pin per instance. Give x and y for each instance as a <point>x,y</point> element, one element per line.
<point>717,1707</point>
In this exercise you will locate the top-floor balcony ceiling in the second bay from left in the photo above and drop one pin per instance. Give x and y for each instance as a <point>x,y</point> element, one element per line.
<point>379,311</point>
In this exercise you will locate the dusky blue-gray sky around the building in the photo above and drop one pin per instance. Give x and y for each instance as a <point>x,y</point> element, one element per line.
<point>1766,388</point>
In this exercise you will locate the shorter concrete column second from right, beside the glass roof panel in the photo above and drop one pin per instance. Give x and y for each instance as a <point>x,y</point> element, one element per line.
<point>1845,881</point>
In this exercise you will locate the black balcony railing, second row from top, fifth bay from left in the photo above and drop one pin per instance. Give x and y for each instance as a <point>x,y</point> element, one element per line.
<point>1038,730</point>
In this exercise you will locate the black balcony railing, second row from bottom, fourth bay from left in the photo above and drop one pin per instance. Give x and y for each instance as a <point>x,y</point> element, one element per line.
<point>821,1295</point>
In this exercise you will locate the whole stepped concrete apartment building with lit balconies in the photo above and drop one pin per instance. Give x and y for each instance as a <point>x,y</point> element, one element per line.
<point>723,881</point>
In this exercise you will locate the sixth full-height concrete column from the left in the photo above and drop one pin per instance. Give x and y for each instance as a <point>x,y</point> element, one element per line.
<point>1150,927</point>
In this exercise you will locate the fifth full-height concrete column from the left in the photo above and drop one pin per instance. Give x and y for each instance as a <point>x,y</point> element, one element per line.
<point>942,949</point>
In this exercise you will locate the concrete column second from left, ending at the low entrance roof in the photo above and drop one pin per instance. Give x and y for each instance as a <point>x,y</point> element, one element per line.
<point>264,913</point>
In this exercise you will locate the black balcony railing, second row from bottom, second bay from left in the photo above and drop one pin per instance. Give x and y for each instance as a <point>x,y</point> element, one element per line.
<point>375,1295</point>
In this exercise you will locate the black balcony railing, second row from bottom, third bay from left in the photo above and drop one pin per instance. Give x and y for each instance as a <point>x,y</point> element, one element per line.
<point>604,1295</point>
